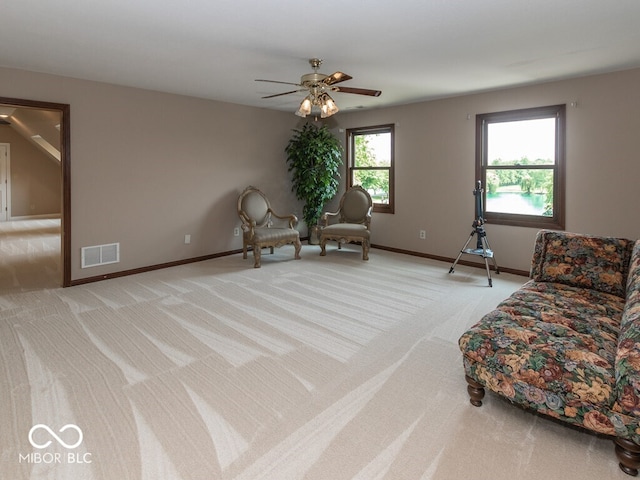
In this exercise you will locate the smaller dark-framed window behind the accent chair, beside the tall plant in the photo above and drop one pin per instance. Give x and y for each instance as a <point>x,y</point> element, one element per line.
<point>370,163</point>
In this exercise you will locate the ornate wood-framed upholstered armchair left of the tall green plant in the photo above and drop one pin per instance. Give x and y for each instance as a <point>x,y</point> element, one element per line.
<point>262,227</point>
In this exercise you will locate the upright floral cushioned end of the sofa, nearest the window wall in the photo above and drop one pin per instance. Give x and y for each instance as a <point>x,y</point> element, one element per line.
<point>598,263</point>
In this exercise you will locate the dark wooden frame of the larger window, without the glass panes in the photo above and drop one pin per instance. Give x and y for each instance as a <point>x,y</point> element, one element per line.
<point>557,221</point>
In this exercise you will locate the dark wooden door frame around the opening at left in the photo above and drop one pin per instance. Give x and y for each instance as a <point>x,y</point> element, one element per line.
<point>65,165</point>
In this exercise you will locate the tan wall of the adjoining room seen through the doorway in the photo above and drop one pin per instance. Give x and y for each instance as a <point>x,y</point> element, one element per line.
<point>34,178</point>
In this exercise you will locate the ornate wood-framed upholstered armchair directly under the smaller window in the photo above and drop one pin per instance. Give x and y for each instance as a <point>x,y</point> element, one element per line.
<point>351,223</point>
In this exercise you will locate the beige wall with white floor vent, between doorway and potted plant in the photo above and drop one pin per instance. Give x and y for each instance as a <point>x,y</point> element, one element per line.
<point>148,168</point>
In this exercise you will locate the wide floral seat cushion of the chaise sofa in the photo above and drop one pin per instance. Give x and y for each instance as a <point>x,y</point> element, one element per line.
<point>550,347</point>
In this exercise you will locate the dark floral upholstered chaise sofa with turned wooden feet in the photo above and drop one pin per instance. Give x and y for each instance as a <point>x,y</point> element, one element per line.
<point>567,343</point>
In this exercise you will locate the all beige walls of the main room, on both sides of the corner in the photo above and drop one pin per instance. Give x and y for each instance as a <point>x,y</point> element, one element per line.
<point>148,168</point>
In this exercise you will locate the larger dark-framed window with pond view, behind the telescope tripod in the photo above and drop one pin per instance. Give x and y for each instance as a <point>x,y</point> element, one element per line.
<point>520,162</point>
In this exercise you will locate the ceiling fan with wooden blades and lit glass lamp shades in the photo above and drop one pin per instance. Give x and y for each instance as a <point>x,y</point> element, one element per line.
<point>319,85</point>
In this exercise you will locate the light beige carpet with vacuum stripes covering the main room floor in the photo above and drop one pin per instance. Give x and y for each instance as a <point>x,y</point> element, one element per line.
<point>325,368</point>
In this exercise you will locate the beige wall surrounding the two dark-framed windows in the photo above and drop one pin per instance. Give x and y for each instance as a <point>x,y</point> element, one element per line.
<point>435,169</point>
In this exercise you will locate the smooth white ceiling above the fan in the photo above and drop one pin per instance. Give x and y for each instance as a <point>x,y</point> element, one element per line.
<point>412,50</point>
